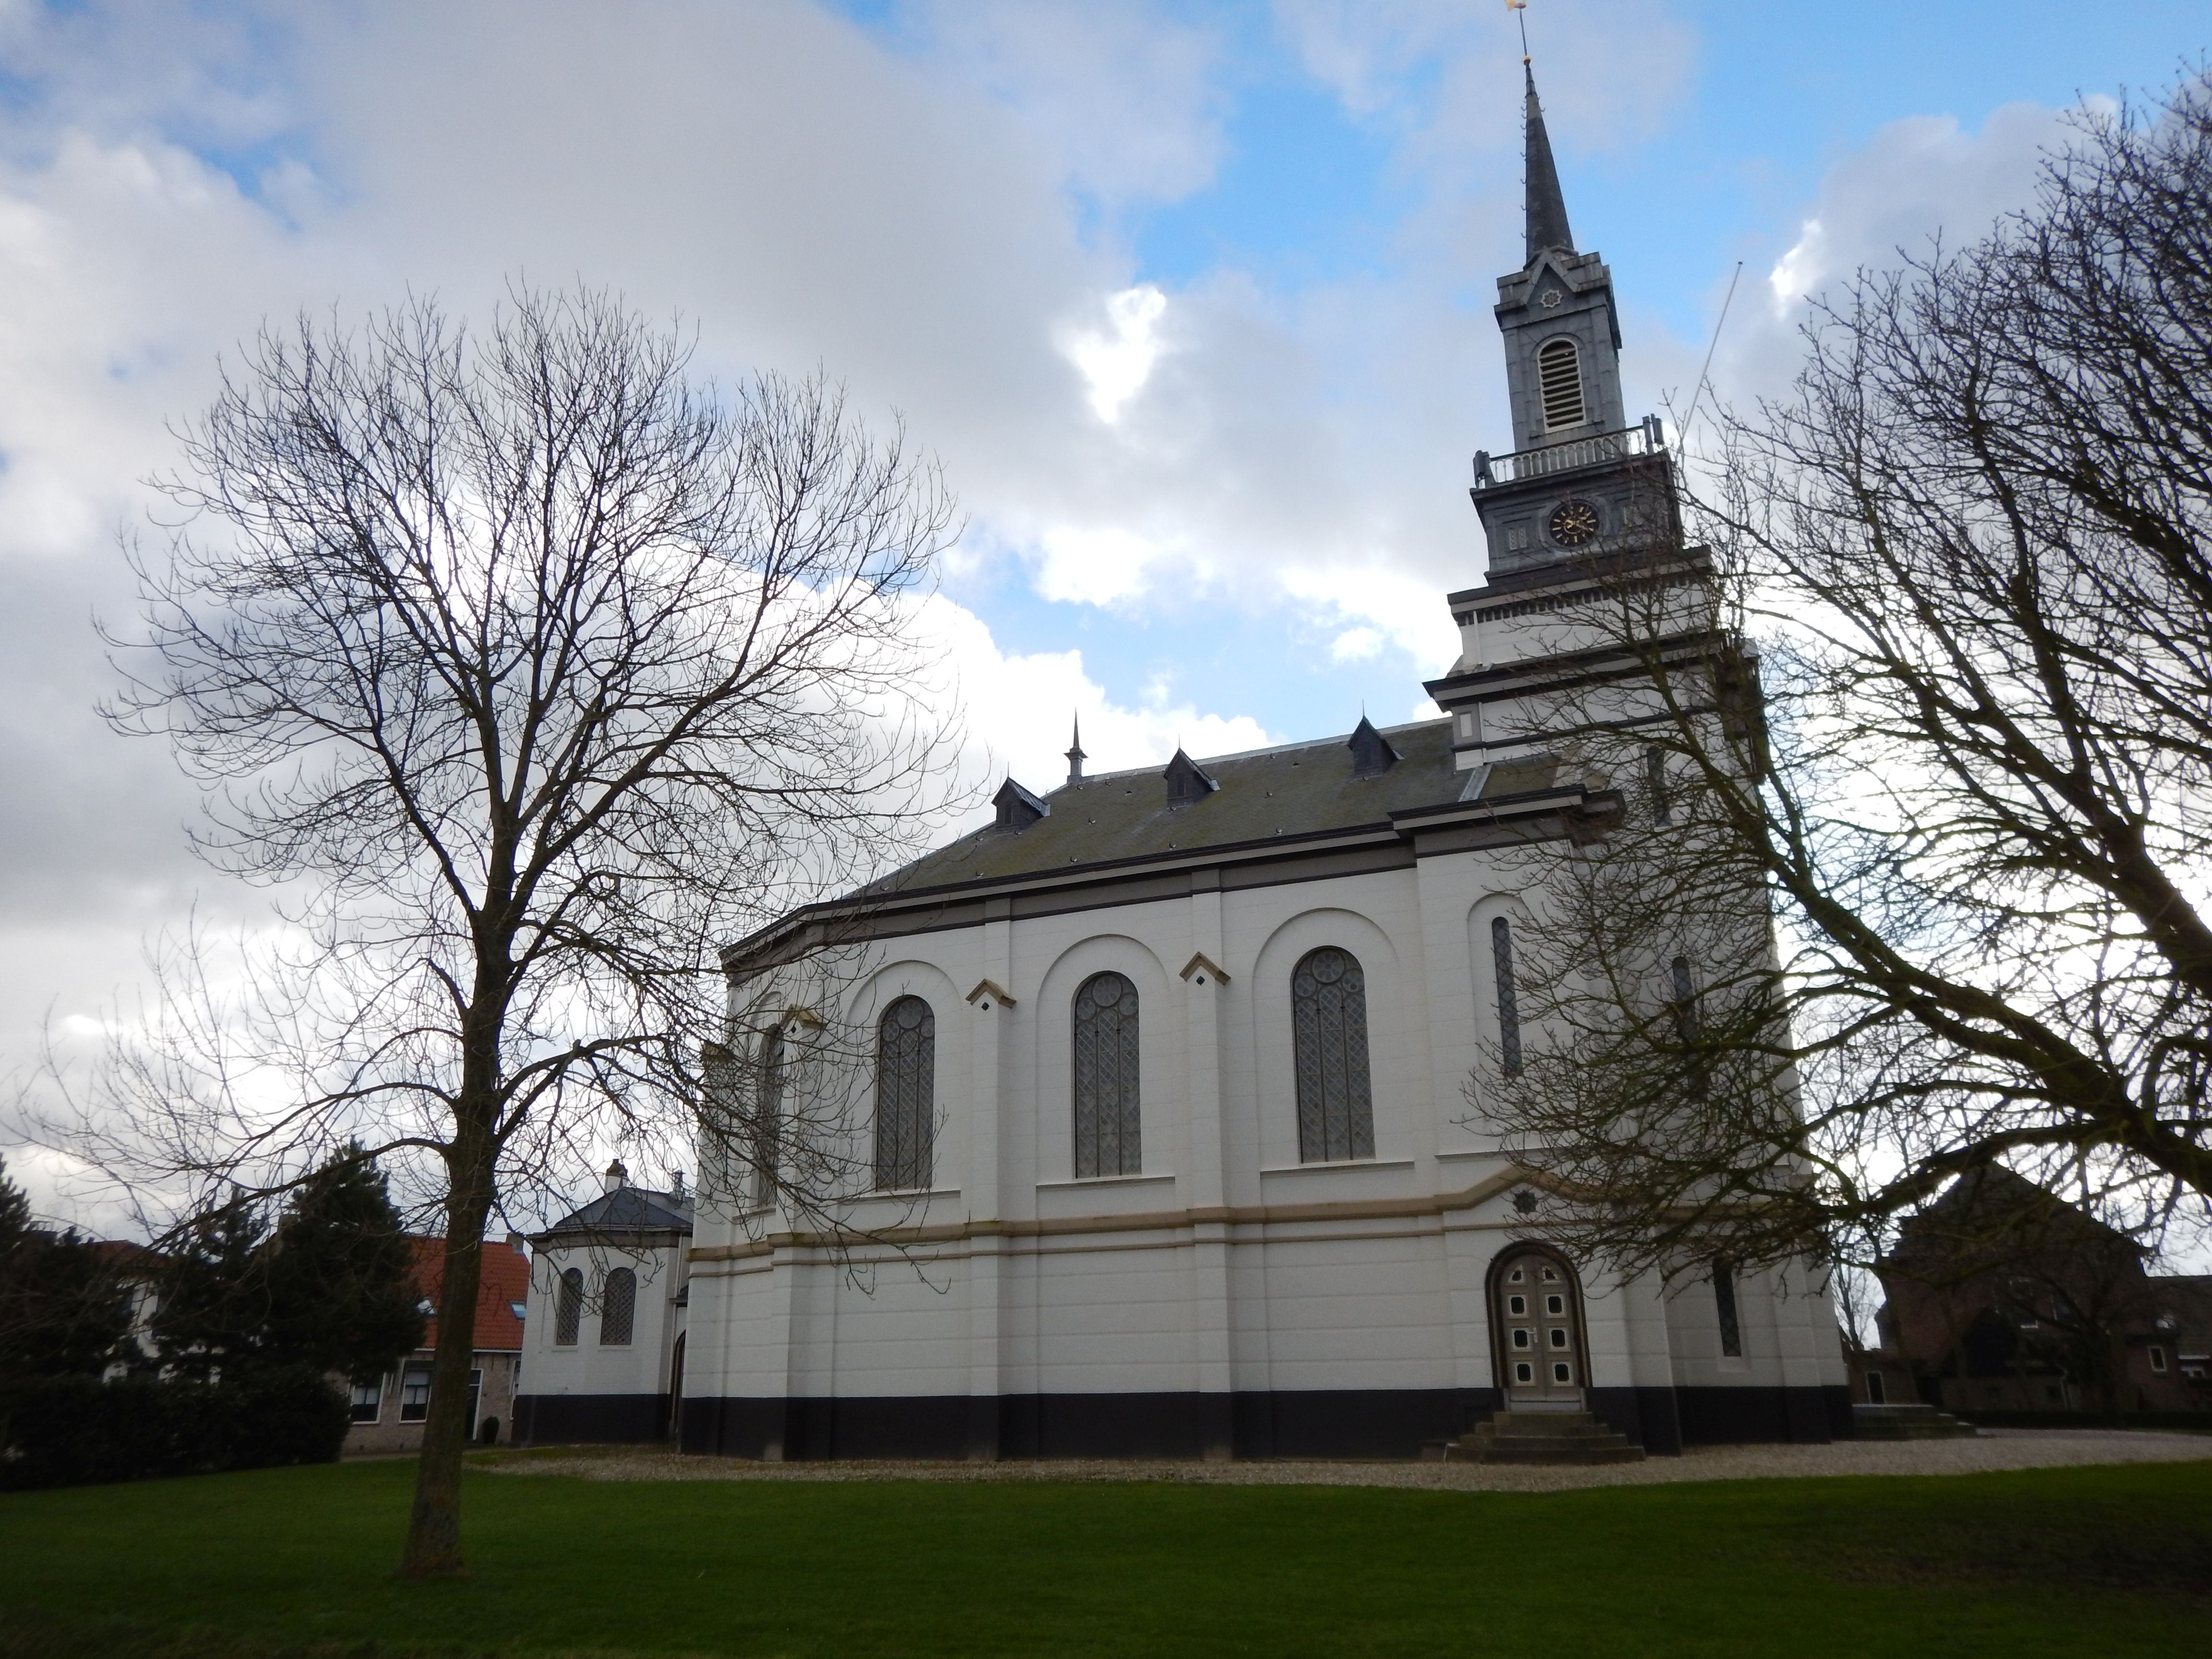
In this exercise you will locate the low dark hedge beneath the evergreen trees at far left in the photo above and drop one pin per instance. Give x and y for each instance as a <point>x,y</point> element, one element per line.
<point>79,1430</point>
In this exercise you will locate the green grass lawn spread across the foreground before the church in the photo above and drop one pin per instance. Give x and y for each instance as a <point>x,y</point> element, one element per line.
<point>300,1563</point>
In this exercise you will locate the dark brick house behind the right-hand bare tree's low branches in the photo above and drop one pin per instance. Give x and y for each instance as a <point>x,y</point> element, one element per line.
<point>2003,1297</point>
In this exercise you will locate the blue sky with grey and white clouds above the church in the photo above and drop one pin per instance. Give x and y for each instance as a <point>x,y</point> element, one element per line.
<point>1191,300</point>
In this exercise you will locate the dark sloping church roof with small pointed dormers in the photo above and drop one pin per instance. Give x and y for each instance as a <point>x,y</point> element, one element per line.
<point>1260,795</point>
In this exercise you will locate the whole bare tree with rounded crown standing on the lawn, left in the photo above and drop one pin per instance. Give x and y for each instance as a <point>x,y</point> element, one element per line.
<point>530,671</point>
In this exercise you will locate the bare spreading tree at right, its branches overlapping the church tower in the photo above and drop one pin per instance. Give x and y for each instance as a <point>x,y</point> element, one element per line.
<point>1908,764</point>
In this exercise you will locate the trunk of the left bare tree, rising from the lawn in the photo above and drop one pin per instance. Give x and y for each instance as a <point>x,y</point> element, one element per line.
<point>435,1530</point>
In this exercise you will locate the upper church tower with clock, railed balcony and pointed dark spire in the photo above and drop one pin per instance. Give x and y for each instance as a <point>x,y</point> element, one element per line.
<point>1580,494</point>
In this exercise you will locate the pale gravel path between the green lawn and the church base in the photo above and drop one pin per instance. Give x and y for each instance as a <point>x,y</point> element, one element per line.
<point>1992,1450</point>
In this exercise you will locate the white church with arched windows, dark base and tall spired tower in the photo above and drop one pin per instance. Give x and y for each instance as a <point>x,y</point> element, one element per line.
<point>1167,1109</point>
